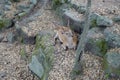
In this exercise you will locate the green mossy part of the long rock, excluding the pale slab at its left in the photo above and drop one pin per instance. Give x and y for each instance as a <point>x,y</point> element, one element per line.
<point>44,52</point>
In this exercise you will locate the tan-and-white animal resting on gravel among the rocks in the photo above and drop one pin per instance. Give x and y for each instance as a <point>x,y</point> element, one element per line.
<point>68,38</point>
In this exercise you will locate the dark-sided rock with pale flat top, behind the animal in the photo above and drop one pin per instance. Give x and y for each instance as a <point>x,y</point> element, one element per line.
<point>76,21</point>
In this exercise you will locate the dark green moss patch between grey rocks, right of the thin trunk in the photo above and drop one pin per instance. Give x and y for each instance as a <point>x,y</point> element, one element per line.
<point>102,45</point>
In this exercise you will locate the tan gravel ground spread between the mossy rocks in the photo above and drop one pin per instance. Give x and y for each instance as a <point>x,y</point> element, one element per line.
<point>12,67</point>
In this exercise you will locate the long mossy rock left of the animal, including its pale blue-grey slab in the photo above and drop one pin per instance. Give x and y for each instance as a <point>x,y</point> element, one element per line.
<point>44,53</point>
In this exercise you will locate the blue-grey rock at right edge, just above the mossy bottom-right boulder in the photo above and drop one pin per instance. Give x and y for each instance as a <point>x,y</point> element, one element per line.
<point>112,36</point>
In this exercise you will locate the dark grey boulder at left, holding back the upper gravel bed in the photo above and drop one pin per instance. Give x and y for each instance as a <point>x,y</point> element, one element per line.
<point>22,34</point>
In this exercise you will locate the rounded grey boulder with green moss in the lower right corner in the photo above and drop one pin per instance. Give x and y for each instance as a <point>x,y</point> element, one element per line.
<point>112,62</point>
